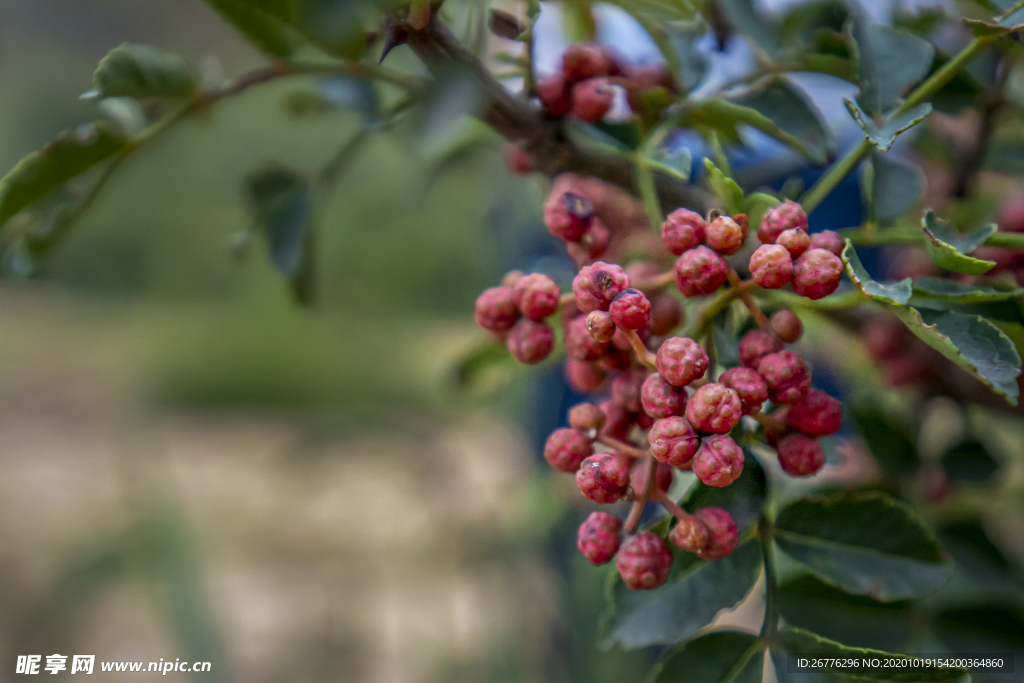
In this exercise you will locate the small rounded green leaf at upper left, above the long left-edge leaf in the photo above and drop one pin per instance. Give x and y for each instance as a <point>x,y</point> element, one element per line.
<point>140,71</point>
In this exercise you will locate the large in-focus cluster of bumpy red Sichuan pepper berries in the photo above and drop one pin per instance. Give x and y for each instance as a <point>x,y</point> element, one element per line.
<point>663,405</point>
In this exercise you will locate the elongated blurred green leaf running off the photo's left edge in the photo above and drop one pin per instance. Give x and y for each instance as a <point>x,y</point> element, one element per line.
<point>49,169</point>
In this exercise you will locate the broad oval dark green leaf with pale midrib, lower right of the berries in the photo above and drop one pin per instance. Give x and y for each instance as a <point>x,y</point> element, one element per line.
<point>867,544</point>
